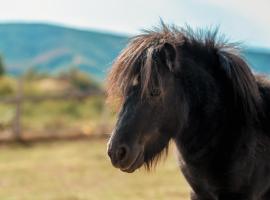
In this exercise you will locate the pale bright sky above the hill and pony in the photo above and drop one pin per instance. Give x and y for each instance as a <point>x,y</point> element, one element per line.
<point>247,21</point>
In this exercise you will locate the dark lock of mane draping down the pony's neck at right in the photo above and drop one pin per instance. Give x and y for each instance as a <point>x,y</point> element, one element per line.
<point>245,89</point>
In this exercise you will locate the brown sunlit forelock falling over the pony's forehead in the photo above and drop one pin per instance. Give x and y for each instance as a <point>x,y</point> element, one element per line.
<point>138,59</point>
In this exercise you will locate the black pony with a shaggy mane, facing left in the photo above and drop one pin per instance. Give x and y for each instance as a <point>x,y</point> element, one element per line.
<point>195,89</point>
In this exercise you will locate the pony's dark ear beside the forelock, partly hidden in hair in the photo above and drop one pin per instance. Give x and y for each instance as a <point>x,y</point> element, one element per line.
<point>169,56</point>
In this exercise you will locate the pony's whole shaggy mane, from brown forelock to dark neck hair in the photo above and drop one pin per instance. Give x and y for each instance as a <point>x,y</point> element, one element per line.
<point>139,59</point>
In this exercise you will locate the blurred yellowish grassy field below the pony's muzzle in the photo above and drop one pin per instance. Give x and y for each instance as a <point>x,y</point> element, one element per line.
<point>81,170</point>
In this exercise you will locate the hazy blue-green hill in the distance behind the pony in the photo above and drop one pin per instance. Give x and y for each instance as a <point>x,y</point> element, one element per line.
<point>50,48</point>
